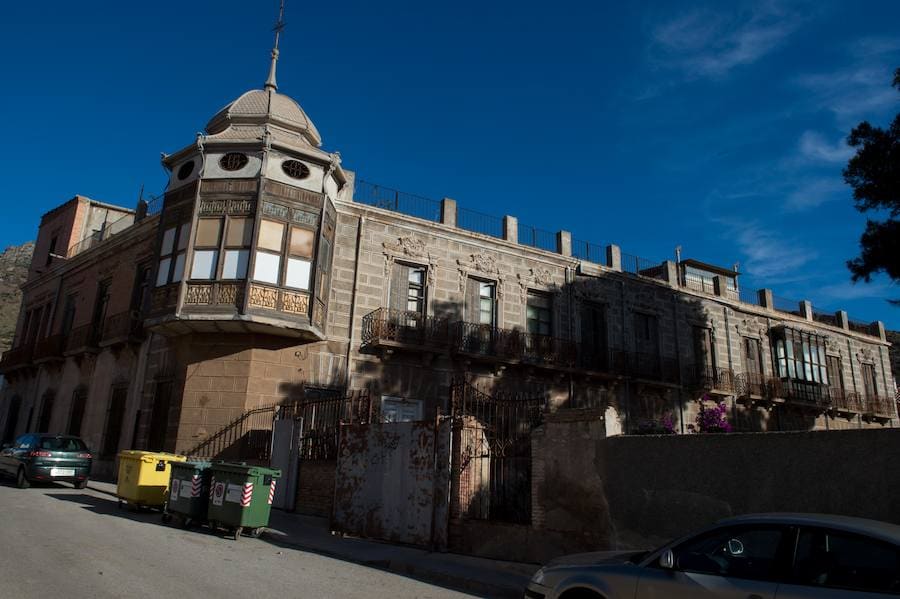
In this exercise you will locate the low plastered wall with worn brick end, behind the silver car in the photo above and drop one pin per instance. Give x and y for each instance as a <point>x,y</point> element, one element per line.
<point>640,491</point>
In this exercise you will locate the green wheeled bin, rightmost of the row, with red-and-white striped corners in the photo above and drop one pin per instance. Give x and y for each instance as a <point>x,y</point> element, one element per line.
<point>240,497</point>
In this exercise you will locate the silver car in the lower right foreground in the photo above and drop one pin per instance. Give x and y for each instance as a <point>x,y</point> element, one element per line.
<point>766,556</point>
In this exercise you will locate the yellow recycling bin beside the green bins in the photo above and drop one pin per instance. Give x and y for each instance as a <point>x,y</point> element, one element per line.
<point>144,478</point>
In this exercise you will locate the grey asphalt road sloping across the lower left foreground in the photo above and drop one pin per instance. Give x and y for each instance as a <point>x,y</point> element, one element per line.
<point>56,541</point>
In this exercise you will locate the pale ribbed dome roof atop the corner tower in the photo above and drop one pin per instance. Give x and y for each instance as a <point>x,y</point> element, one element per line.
<point>259,107</point>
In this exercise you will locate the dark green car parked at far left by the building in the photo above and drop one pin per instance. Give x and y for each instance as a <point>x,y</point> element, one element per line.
<point>42,457</point>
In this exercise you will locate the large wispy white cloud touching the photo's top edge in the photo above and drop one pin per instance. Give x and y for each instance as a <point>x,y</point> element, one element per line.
<point>707,44</point>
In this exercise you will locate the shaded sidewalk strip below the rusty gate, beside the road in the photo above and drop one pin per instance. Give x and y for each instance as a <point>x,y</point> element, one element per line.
<point>479,576</point>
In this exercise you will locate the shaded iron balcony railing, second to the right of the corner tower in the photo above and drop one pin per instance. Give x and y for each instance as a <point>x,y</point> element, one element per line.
<point>511,345</point>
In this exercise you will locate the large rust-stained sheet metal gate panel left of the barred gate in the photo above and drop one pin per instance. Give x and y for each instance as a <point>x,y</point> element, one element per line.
<point>390,478</point>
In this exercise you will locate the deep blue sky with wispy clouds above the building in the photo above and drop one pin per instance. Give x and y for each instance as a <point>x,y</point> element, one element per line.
<point>715,126</point>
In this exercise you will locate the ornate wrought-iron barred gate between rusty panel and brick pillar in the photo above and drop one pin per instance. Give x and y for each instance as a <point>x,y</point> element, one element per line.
<point>492,461</point>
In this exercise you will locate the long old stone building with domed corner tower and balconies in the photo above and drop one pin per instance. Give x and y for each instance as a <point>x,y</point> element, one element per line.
<point>266,269</point>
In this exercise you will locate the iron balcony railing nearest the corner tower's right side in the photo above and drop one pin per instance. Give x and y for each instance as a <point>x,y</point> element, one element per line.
<point>386,326</point>
